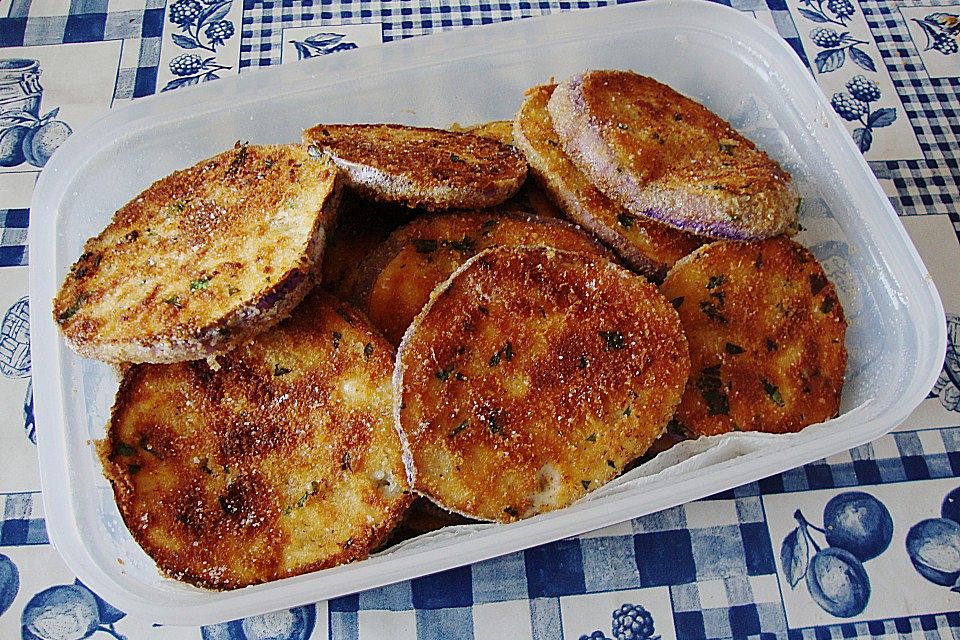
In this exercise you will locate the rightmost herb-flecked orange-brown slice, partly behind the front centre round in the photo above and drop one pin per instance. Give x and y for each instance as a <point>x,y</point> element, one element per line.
<point>766,334</point>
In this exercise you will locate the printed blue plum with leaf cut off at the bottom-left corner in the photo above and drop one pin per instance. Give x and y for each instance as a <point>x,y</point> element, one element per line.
<point>68,612</point>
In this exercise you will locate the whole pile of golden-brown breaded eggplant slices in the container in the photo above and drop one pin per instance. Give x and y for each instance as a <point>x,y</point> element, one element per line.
<point>310,335</point>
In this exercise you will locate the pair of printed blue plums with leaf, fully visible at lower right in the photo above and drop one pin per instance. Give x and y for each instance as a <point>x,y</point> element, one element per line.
<point>857,527</point>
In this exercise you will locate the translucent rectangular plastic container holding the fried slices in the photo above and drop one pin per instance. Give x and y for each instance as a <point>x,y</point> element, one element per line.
<point>727,60</point>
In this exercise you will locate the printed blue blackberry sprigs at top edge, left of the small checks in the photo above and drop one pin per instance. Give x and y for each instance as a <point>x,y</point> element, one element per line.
<point>203,27</point>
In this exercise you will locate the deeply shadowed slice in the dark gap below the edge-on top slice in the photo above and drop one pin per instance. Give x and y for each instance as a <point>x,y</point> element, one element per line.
<point>362,225</point>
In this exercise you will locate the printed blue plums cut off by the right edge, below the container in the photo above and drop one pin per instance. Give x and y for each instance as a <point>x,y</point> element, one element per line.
<point>934,544</point>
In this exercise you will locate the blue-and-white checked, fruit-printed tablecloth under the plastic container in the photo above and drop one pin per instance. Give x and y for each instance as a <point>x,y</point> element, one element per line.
<point>713,568</point>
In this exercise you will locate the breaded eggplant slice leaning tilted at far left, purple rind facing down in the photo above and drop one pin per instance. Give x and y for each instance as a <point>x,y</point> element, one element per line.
<point>203,259</point>
